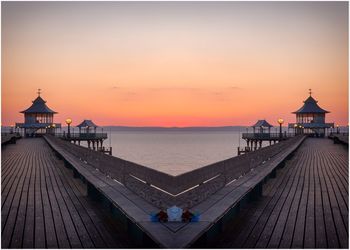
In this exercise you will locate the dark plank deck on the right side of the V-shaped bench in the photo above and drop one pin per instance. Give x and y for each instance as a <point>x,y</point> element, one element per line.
<point>306,206</point>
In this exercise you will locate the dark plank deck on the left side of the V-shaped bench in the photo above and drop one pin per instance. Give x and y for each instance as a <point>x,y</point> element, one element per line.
<point>43,206</point>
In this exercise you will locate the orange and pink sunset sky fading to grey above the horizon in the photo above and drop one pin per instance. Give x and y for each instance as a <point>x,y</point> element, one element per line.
<point>174,63</point>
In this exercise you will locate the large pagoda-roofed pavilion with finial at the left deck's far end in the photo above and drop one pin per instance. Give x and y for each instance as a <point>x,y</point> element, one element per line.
<point>38,118</point>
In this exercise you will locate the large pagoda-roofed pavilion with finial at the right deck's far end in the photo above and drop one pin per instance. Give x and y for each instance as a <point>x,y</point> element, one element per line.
<point>311,119</point>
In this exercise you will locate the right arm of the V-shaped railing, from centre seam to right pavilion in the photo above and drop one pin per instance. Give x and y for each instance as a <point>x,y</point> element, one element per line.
<point>209,179</point>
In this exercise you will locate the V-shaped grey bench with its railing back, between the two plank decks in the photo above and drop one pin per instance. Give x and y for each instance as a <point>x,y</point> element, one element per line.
<point>135,191</point>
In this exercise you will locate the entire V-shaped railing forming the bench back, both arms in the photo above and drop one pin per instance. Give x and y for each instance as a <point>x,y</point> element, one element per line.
<point>163,189</point>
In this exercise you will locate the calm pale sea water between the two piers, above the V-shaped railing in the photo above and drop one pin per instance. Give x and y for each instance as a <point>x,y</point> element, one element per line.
<point>174,152</point>
